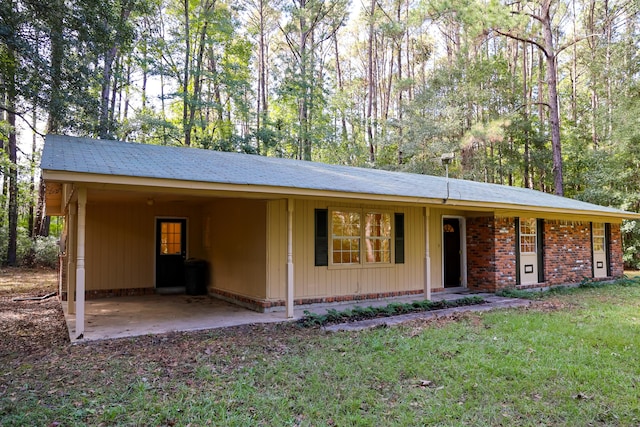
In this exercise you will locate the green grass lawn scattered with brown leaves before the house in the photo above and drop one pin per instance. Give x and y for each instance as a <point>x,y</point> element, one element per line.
<point>571,359</point>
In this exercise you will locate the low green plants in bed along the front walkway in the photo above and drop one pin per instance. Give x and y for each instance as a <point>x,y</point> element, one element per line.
<point>393,309</point>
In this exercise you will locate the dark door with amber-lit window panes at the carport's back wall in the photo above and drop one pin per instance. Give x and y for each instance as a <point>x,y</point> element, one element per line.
<point>171,251</point>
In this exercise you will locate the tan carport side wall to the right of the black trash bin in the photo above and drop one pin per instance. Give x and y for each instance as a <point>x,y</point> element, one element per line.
<point>238,246</point>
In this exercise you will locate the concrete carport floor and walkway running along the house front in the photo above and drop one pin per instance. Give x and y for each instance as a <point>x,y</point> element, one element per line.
<point>121,317</point>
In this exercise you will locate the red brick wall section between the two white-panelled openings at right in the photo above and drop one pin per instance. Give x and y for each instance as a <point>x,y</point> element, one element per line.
<point>567,252</point>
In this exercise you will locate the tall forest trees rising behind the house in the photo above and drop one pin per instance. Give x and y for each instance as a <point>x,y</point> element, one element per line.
<point>543,94</point>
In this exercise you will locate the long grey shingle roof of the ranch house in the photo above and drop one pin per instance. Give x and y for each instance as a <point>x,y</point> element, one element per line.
<point>106,157</point>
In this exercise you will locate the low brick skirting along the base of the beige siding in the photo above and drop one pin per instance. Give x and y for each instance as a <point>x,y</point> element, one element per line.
<point>265,306</point>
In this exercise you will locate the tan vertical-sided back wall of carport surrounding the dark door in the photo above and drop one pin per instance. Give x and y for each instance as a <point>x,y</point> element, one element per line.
<point>120,244</point>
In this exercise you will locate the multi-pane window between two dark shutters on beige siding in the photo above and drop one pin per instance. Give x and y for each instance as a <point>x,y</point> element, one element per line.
<point>360,237</point>
